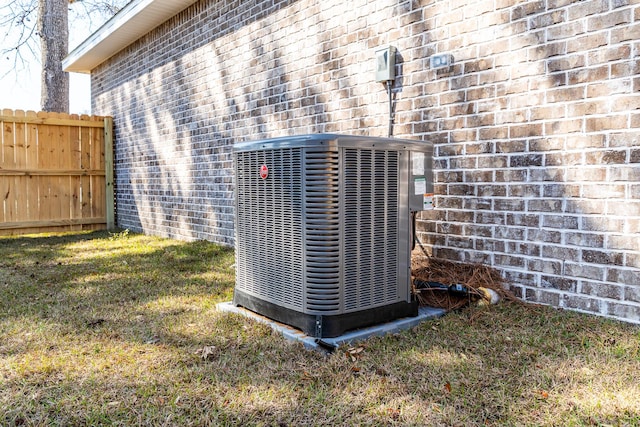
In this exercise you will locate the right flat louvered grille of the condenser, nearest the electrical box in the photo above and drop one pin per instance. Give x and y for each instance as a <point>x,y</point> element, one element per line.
<point>370,228</point>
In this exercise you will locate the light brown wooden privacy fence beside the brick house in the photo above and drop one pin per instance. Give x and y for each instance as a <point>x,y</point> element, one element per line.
<point>56,172</point>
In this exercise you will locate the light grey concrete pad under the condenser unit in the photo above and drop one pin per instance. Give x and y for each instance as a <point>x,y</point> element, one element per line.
<point>290,333</point>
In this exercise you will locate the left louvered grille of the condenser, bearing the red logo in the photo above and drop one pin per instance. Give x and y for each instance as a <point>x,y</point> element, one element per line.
<point>269,219</point>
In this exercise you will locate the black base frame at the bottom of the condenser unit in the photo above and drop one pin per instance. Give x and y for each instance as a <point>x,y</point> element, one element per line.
<point>321,326</point>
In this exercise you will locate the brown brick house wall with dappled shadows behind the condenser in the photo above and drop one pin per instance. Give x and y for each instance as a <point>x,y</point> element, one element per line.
<point>536,124</point>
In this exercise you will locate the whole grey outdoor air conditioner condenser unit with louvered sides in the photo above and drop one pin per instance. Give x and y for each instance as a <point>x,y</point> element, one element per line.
<point>323,228</point>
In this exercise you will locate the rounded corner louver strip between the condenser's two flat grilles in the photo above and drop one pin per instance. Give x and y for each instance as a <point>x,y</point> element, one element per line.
<point>322,231</point>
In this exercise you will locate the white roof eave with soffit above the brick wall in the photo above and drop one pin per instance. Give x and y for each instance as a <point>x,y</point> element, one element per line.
<point>131,23</point>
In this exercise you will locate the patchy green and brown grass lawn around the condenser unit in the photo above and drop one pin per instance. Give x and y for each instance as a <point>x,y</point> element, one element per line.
<point>109,329</point>
